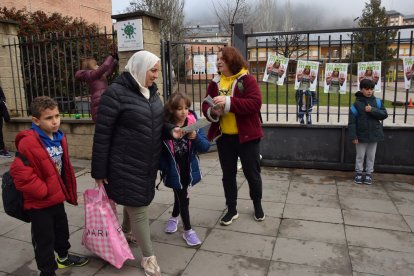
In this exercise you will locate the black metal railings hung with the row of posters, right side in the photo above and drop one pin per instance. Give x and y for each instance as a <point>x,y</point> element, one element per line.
<point>388,45</point>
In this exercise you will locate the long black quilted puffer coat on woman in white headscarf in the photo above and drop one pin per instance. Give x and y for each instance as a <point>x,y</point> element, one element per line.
<point>127,141</point>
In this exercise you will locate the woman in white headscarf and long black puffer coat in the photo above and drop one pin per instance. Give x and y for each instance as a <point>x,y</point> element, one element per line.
<point>127,146</point>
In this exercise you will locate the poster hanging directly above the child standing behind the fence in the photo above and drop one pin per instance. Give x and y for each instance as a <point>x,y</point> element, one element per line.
<point>306,74</point>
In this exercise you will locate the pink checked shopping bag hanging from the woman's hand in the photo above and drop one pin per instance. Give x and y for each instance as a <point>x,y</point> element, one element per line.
<point>102,233</point>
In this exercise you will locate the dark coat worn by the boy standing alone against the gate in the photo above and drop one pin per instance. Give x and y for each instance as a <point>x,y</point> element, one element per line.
<point>366,126</point>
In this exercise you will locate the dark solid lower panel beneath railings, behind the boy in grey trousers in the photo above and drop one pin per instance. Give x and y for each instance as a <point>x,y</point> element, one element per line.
<point>328,147</point>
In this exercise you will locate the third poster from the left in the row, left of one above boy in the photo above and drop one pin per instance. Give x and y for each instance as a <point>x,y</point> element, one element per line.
<point>335,78</point>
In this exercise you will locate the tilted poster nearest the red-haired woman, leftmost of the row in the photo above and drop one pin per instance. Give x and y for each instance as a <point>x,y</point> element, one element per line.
<point>276,68</point>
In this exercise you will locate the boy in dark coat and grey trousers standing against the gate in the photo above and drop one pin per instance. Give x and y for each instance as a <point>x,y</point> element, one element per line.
<point>365,129</point>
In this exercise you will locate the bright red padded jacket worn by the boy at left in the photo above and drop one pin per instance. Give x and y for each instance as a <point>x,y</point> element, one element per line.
<point>40,182</point>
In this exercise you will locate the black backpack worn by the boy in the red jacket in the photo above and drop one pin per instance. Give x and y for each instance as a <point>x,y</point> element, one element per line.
<point>12,198</point>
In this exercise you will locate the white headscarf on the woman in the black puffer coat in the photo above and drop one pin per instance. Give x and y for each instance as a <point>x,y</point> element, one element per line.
<point>138,65</point>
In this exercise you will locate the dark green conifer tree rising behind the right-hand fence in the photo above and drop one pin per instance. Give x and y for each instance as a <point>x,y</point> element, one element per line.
<point>373,44</point>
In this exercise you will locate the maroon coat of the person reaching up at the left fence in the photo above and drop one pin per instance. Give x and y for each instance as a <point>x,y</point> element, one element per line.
<point>97,81</point>
